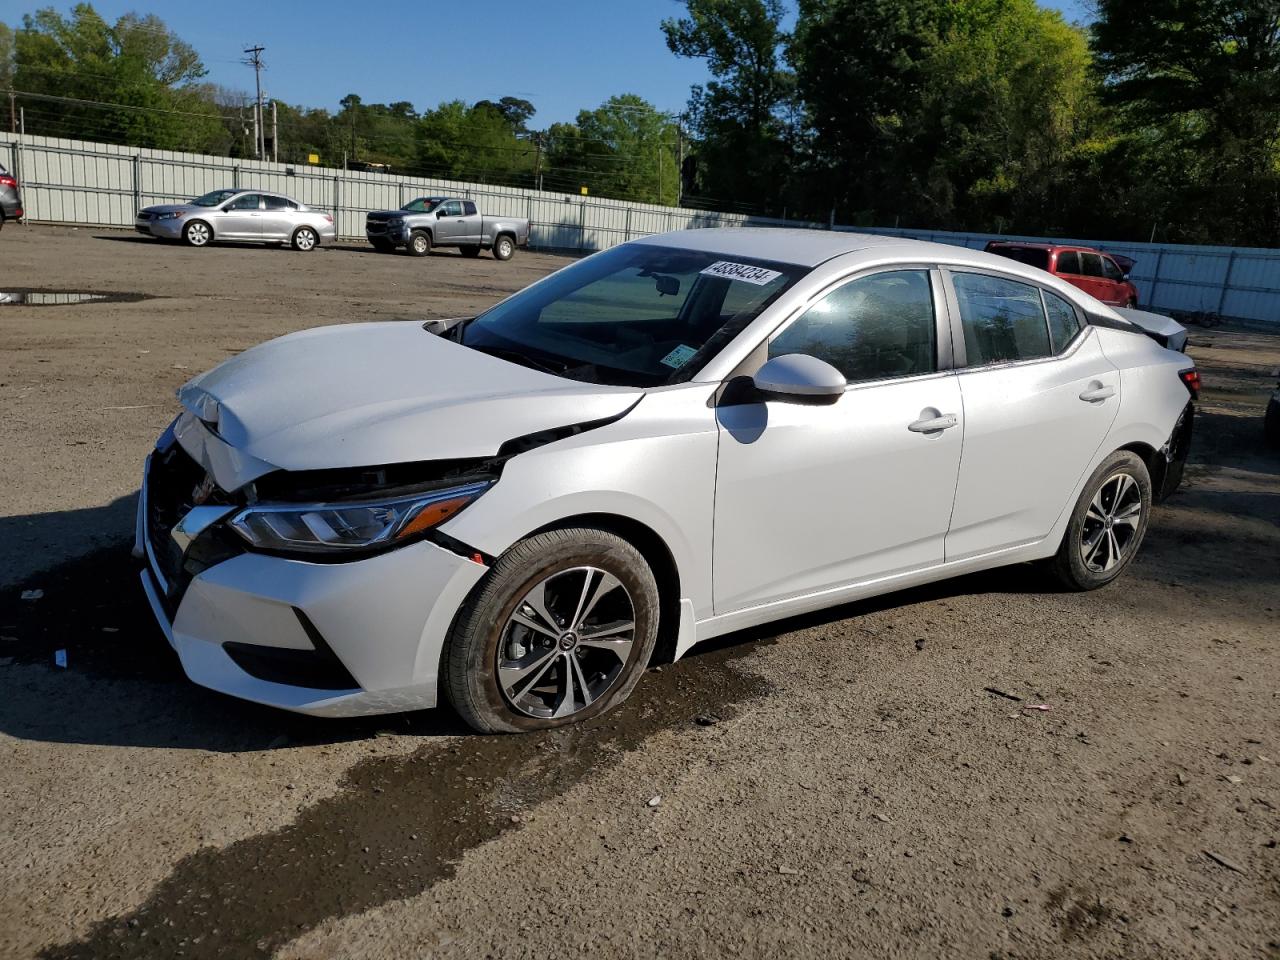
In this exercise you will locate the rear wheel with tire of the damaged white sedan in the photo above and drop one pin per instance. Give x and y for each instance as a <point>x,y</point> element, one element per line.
<point>1108,524</point>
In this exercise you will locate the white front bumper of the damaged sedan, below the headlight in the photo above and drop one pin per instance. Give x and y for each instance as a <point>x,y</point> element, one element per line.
<point>278,632</point>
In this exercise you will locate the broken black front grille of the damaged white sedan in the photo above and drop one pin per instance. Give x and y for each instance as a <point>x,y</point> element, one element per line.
<point>173,482</point>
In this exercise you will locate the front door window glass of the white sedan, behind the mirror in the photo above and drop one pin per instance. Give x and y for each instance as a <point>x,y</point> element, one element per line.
<point>870,330</point>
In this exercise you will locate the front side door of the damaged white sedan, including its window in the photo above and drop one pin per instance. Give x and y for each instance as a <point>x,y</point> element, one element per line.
<point>811,499</point>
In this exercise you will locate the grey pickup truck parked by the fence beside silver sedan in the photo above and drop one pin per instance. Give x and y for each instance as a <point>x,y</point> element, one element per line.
<point>445,222</point>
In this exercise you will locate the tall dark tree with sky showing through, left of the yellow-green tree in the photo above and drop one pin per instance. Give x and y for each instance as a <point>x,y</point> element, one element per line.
<point>742,117</point>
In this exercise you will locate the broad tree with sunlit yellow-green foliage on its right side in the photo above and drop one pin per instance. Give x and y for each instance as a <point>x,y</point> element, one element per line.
<point>943,113</point>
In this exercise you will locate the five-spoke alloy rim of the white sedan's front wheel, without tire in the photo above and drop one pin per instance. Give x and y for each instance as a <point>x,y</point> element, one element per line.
<point>566,643</point>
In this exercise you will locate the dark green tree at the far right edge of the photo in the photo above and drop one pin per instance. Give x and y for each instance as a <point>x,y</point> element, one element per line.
<point>1197,97</point>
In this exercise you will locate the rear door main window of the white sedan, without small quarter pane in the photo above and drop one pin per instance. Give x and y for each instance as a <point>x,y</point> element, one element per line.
<point>1003,321</point>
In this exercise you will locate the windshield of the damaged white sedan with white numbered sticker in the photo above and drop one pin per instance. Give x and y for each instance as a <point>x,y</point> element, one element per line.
<point>637,316</point>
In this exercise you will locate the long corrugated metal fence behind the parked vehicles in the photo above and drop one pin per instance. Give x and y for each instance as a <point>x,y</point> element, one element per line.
<point>67,181</point>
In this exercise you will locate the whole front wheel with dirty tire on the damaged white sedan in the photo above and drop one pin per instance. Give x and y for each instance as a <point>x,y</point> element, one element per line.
<point>559,632</point>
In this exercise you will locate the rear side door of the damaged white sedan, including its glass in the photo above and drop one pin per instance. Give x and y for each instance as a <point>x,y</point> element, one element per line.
<point>1040,397</point>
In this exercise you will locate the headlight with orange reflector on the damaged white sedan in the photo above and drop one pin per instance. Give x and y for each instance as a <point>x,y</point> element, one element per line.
<point>335,528</point>
